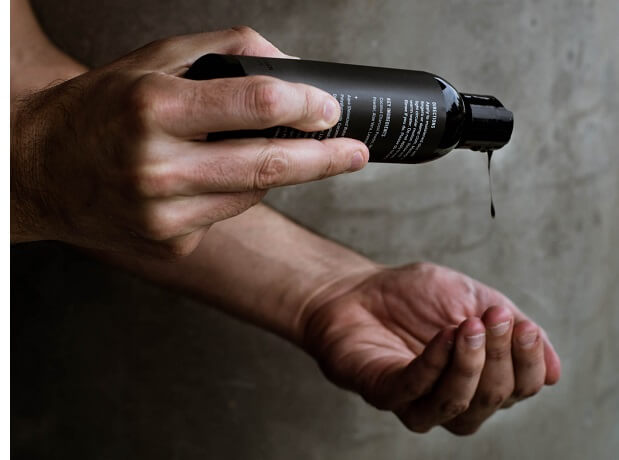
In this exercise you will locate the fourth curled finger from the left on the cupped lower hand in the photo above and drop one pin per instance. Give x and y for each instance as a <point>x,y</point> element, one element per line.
<point>528,358</point>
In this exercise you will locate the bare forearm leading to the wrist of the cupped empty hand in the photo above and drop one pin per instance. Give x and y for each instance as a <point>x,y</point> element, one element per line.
<point>258,266</point>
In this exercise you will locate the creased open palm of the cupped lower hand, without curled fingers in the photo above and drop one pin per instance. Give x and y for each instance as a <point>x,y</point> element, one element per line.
<point>381,325</point>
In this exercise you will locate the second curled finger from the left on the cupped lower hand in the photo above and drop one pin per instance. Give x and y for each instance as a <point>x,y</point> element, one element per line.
<point>456,386</point>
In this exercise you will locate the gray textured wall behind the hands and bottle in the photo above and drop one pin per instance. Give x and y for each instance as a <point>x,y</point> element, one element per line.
<point>106,366</point>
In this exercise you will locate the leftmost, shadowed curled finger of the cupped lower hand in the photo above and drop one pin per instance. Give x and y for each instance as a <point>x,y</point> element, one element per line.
<point>405,384</point>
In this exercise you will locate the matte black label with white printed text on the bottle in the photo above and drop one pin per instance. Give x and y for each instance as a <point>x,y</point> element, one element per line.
<point>398,114</point>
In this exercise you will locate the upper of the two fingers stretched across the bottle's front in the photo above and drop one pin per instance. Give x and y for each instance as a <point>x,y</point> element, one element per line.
<point>190,109</point>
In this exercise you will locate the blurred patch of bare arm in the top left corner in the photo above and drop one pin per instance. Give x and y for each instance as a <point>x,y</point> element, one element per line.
<point>35,61</point>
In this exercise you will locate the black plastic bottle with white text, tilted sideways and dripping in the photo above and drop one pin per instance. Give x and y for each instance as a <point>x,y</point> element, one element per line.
<point>403,116</point>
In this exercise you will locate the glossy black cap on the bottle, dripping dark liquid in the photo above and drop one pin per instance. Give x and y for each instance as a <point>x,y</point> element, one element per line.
<point>488,124</point>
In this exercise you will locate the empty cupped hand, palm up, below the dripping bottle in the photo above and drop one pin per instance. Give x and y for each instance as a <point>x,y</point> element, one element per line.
<point>428,343</point>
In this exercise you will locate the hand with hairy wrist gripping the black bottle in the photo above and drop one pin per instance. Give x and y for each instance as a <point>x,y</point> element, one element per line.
<point>110,159</point>
